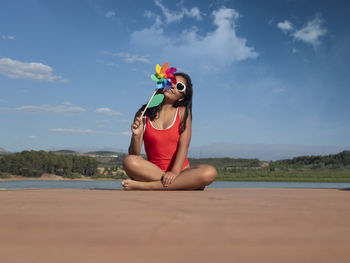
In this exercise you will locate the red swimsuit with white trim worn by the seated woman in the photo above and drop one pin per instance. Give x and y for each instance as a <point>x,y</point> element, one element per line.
<point>161,145</point>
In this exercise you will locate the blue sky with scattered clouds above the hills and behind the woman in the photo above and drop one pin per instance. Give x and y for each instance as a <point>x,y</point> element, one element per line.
<point>73,73</point>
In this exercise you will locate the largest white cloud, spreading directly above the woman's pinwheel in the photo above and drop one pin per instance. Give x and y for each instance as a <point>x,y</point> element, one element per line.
<point>215,49</point>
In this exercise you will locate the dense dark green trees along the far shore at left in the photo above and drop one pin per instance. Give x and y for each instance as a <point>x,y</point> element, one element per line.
<point>35,163</point>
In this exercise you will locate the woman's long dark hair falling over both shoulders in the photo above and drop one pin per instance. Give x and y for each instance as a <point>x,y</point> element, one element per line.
<point>186,102</point>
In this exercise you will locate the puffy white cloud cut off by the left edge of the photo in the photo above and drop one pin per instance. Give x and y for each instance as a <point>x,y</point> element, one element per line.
<point>24,70</point>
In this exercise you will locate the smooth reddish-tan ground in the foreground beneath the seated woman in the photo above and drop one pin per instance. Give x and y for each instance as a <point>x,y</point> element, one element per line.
<point>215,225</point>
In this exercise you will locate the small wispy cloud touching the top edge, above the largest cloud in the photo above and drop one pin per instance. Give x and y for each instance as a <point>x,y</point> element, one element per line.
<point>171,16</point>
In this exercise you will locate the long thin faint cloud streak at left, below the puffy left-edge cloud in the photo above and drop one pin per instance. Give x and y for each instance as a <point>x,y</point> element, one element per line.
<point>64,108</point>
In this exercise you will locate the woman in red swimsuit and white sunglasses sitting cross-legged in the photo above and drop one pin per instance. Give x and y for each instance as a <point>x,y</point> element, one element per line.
<point>166,133</point>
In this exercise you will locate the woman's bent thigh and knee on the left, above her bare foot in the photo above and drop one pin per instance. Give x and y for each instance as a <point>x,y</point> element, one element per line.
<point>139,169</point>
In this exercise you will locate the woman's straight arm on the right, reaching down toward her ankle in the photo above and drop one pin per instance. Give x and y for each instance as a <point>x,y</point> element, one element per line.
<point>184,144</point>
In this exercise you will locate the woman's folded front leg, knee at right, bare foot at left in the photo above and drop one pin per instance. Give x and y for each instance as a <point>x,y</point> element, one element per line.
<point>189,179</point>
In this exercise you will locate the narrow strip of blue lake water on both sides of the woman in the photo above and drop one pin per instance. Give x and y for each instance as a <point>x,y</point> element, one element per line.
<point>38,184</point>
